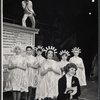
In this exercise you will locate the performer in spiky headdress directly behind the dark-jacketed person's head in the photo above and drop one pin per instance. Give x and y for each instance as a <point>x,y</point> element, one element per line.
<point>64,56</point>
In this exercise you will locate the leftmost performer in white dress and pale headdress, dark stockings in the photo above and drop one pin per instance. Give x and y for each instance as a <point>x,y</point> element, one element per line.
<point>17,79</point>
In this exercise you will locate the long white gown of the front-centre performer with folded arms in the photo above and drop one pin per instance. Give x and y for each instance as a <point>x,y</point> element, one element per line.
<point>49,83</point>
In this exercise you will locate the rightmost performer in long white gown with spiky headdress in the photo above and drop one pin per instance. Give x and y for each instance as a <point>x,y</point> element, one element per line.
<point>80,73</point>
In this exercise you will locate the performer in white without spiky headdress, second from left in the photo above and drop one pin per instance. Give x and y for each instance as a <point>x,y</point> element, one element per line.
<point>32,65</point>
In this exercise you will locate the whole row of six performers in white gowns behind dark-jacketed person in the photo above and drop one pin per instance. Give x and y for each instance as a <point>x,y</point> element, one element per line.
<point>28,72</point>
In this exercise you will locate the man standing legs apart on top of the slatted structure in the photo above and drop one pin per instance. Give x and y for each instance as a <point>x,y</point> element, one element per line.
<point>28,12</point>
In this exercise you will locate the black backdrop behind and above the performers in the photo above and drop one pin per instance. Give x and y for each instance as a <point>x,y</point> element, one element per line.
<point>62,23</point>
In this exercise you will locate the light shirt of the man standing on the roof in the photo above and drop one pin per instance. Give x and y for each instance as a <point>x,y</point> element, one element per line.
<point>27,6</point>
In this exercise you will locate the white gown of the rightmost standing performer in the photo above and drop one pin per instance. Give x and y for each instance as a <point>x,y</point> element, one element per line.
<point>80,73</point>
